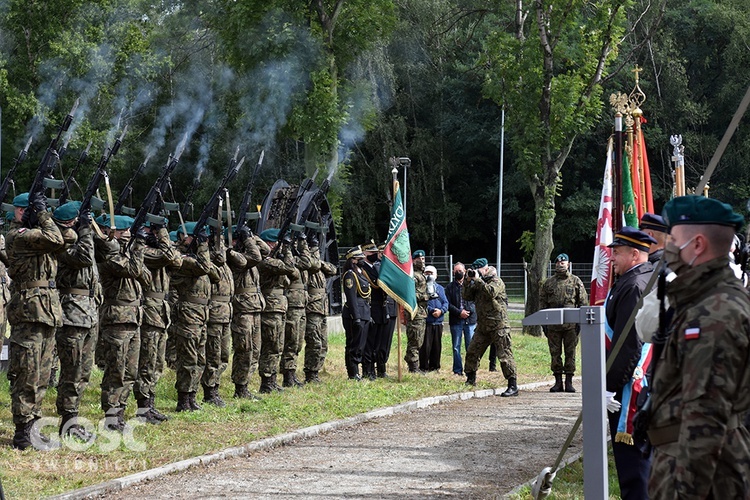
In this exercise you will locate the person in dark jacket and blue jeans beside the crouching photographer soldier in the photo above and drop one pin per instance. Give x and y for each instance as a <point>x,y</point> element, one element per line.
<point>462,317</point>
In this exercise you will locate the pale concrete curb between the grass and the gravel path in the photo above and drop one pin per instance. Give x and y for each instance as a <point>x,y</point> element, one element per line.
<point>116,485</point>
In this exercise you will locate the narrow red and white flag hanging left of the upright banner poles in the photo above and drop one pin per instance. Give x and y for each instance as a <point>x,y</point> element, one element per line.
<point>602,271</point>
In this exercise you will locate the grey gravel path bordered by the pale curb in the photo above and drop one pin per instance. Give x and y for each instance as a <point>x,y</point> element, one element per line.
<point>475,448</point>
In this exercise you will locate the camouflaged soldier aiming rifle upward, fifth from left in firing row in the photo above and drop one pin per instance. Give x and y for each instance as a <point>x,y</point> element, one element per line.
<point>191,315</point>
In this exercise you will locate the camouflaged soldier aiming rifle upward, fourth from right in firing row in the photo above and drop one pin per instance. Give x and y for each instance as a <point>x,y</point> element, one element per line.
<point>248,303</point>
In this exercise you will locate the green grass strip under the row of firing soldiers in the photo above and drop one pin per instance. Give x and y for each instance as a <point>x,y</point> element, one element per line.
<point>32,474</point>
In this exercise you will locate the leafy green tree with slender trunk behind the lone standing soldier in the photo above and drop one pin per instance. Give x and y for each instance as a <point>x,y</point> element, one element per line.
<point>546,68</point>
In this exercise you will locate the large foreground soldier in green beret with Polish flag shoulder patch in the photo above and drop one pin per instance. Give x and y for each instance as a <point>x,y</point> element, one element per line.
<point>701,387</point>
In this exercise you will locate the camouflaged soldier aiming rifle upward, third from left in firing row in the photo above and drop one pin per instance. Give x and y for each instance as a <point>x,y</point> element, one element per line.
<point>123,277</point>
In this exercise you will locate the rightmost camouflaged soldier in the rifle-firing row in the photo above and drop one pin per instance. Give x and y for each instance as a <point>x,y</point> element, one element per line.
<point>316,328</point>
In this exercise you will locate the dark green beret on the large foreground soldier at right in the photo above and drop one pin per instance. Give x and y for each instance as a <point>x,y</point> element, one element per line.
<point>694,209</point>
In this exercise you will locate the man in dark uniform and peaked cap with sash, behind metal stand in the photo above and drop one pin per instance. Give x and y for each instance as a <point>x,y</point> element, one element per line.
<point>633,270</point>
